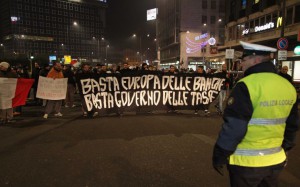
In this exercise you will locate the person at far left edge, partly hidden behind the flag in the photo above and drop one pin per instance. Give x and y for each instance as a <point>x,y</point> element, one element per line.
<point>6,115</point>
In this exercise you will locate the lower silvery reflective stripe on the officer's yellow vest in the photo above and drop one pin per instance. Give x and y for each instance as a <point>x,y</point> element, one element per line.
<point>257,152</point>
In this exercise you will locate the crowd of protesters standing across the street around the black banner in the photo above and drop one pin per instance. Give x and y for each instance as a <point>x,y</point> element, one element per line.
<point>86,71</point>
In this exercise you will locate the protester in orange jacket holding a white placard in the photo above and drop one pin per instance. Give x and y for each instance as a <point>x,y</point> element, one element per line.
<point>55,73</point>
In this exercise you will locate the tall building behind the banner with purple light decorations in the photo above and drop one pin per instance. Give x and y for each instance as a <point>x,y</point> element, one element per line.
<point>184,28</point>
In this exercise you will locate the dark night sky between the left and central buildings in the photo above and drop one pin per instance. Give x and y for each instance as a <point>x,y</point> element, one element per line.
<point>125,17</point>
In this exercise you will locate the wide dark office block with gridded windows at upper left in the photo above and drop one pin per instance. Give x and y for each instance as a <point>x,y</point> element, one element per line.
<point>53,27</point>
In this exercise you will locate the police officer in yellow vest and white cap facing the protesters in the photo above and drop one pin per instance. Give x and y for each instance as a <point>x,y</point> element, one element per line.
<point>260,122</point>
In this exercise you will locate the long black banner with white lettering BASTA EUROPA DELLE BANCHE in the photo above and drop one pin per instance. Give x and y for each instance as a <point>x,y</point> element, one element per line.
<point>159,92</point>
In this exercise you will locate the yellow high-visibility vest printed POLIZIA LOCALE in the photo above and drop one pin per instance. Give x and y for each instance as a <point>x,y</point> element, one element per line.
<point>272,99</point>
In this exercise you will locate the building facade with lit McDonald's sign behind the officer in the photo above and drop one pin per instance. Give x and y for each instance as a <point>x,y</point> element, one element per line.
<point>265,22</point>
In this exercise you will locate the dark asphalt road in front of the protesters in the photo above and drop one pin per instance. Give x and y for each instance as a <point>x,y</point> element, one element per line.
<point>145,150</point>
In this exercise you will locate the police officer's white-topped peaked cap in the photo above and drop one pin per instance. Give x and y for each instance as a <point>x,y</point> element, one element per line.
<point>256,49</point>
